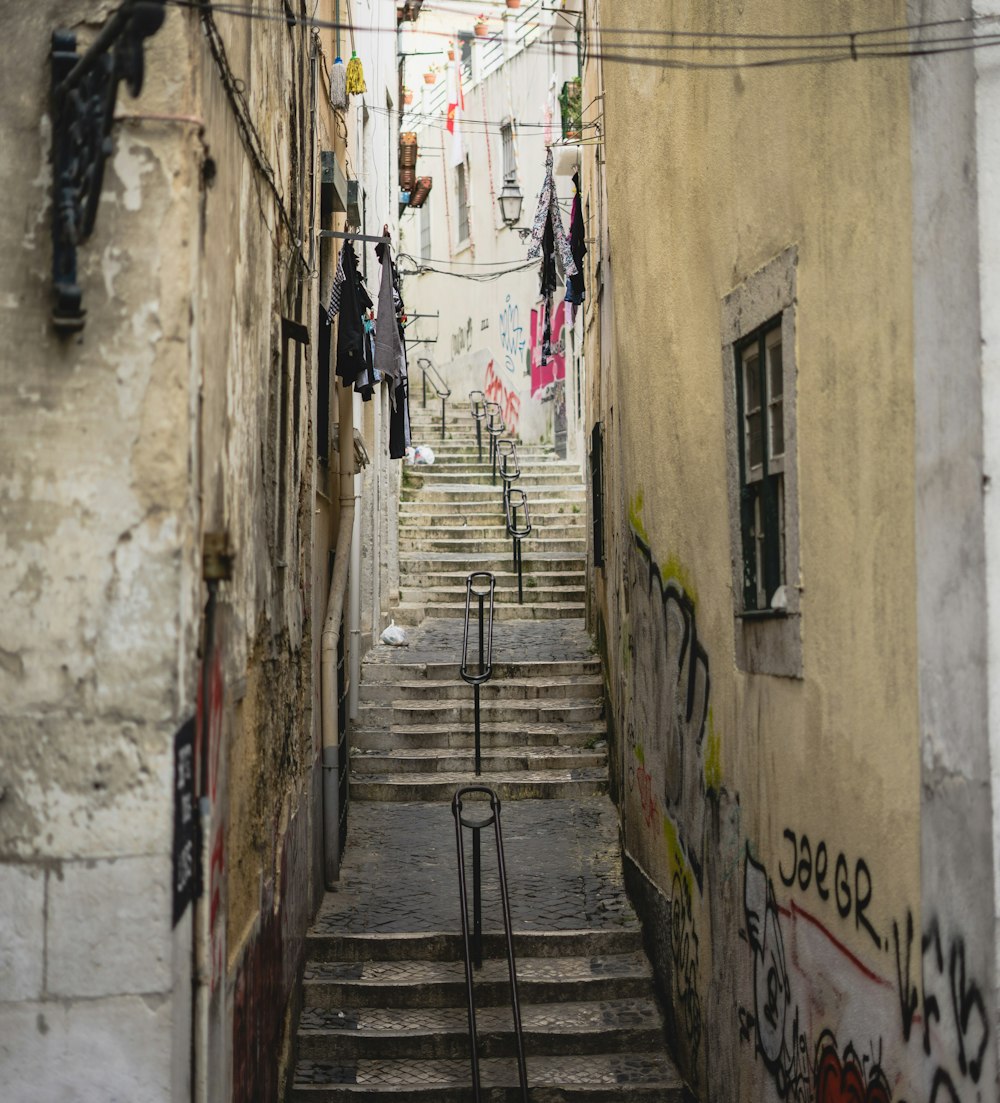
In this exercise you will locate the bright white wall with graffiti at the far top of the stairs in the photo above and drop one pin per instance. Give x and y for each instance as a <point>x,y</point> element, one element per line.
<point>485,336</point>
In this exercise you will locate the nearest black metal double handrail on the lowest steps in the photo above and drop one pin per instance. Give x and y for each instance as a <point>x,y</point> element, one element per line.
<point>478,920</point>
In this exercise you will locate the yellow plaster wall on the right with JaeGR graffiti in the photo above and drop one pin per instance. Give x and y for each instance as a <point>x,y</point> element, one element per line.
<point>810,918</point>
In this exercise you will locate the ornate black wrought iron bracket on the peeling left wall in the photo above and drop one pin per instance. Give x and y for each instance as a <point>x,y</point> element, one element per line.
<point>84,90</point>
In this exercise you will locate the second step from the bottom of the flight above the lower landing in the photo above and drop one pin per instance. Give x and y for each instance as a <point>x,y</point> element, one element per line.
<point>448,761</point>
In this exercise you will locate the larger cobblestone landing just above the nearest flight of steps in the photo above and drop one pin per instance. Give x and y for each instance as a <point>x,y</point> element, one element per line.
<point>401,873</point>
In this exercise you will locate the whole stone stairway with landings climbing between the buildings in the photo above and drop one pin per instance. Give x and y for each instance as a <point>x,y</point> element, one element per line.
<point>384,1006</point>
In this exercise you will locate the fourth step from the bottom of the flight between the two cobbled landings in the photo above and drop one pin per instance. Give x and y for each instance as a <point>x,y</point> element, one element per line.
<point>499,710</point>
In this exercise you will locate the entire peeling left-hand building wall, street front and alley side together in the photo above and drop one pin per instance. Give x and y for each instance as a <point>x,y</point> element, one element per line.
<point>184,412</point>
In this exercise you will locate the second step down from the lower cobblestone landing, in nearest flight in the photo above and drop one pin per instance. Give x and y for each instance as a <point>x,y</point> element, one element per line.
<point>443,984</point>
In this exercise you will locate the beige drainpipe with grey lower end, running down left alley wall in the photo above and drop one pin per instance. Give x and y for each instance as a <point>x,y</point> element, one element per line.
<point>331,639</point>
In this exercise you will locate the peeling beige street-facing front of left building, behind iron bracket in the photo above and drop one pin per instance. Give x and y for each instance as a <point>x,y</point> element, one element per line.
<point>98,558</point>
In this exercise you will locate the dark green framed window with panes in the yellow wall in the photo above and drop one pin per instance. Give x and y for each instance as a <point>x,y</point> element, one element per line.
<point>760,410</point>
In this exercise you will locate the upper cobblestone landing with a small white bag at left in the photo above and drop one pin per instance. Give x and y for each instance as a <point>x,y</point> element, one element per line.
<point>440,641</point>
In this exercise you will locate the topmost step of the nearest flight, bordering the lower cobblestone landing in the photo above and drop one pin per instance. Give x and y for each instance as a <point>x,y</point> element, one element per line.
<point>442,946</point>
